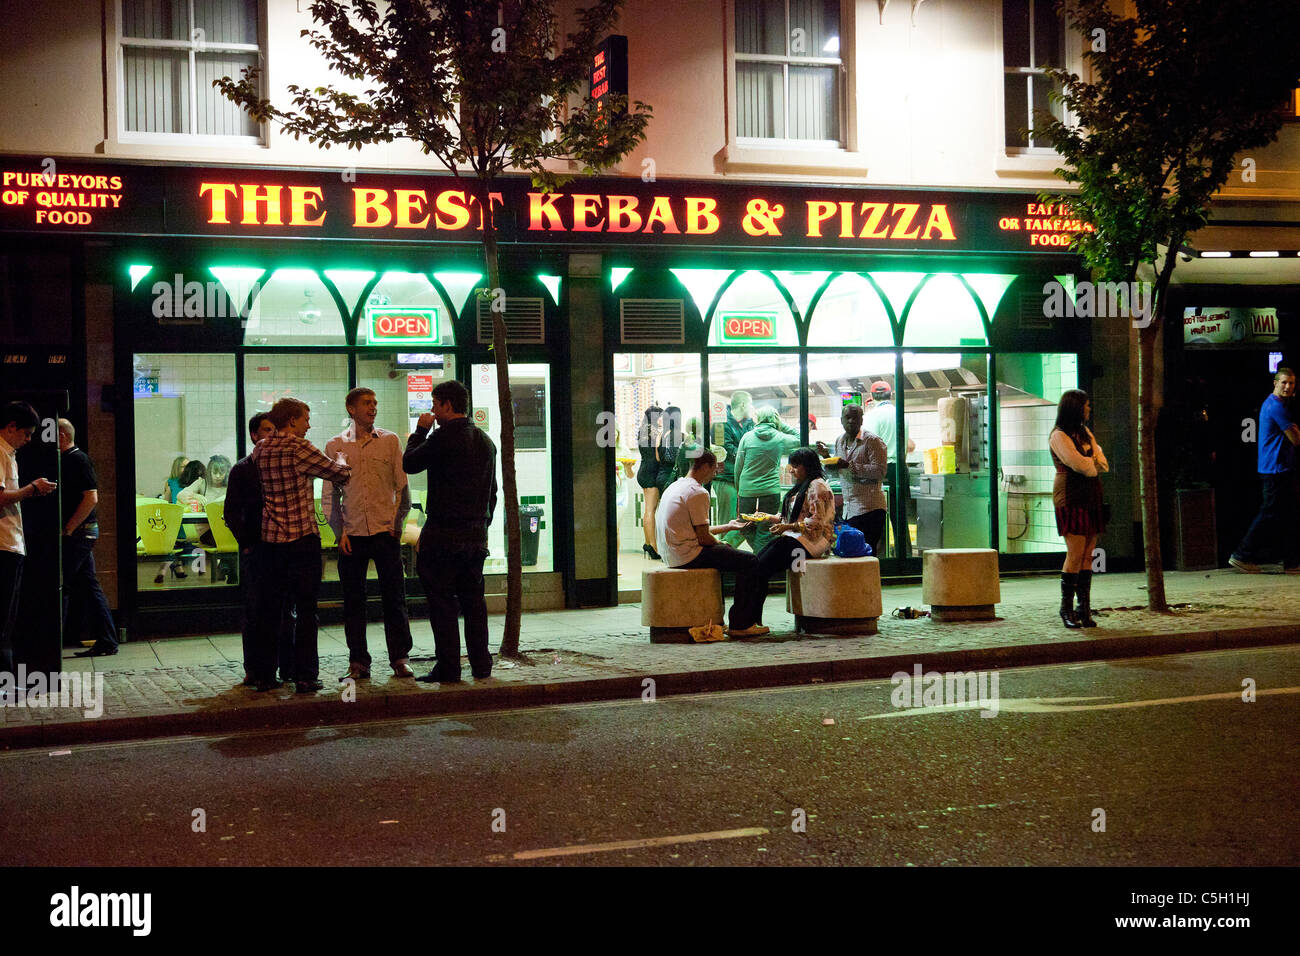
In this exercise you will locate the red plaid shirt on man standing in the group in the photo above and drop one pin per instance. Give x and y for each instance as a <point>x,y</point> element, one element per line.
<point>287,466</point>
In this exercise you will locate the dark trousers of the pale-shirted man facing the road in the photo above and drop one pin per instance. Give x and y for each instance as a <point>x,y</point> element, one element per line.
<point>387,553</point>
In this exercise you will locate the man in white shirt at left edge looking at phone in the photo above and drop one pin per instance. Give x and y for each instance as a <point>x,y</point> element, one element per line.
<point>18,425</point>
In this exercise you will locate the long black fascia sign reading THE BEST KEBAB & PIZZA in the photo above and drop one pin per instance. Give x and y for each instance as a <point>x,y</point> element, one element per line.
<point>76,197</point>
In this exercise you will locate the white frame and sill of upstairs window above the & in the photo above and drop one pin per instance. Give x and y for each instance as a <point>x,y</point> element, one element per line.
<point>813,157</point>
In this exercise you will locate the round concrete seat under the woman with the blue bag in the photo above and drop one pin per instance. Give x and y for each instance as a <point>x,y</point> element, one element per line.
<point>839,596</point>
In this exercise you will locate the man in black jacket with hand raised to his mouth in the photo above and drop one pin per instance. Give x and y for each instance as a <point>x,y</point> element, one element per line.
<point>462,466</point>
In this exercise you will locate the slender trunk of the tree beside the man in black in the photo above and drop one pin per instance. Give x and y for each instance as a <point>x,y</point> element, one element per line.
<point>506,409</point>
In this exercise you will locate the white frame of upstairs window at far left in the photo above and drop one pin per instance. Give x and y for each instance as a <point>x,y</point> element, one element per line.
<point>118,111</point>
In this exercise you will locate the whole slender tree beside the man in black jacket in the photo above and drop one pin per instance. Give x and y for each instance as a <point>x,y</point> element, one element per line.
<point>484,89</point>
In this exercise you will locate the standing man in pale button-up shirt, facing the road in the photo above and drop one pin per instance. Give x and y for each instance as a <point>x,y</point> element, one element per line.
<point>367,516</point>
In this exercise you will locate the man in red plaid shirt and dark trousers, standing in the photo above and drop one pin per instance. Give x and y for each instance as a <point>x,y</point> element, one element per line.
<point>291,540</point>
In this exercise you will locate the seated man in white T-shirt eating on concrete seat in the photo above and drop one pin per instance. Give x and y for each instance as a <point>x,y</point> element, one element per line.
<point>687,542</point>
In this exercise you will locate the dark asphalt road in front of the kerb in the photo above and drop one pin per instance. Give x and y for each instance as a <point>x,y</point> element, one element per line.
<point>1185,772</point>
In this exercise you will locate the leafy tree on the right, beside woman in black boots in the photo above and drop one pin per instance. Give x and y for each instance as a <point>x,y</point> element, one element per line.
<point>1178,93</point>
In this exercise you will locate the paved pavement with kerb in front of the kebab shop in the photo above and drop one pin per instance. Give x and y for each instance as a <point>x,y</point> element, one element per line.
<point>179,686</point>
